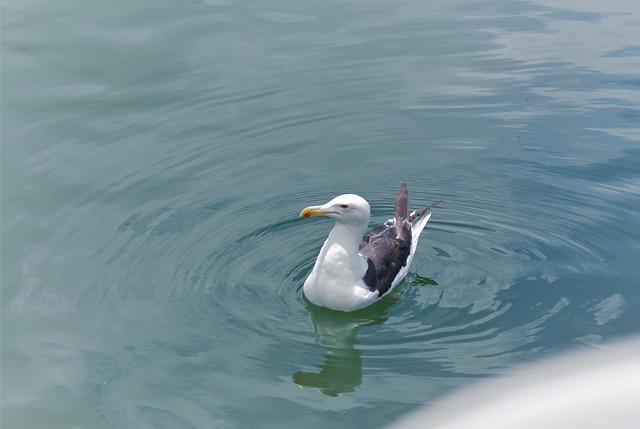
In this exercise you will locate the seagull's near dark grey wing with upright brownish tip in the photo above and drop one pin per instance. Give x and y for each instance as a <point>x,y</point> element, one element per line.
<point>387,246</point>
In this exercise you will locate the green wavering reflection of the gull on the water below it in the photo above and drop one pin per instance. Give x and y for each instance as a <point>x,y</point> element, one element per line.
<point>341,370</point>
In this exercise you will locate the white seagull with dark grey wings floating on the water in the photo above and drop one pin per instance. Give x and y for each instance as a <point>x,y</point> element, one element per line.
<point>356,267</point>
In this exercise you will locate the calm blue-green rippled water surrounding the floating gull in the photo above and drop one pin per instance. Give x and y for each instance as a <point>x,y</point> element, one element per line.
<point>156,154</point>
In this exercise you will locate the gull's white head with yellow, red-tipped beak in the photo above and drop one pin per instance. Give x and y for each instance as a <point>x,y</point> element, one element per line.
<point>347,209</point>
